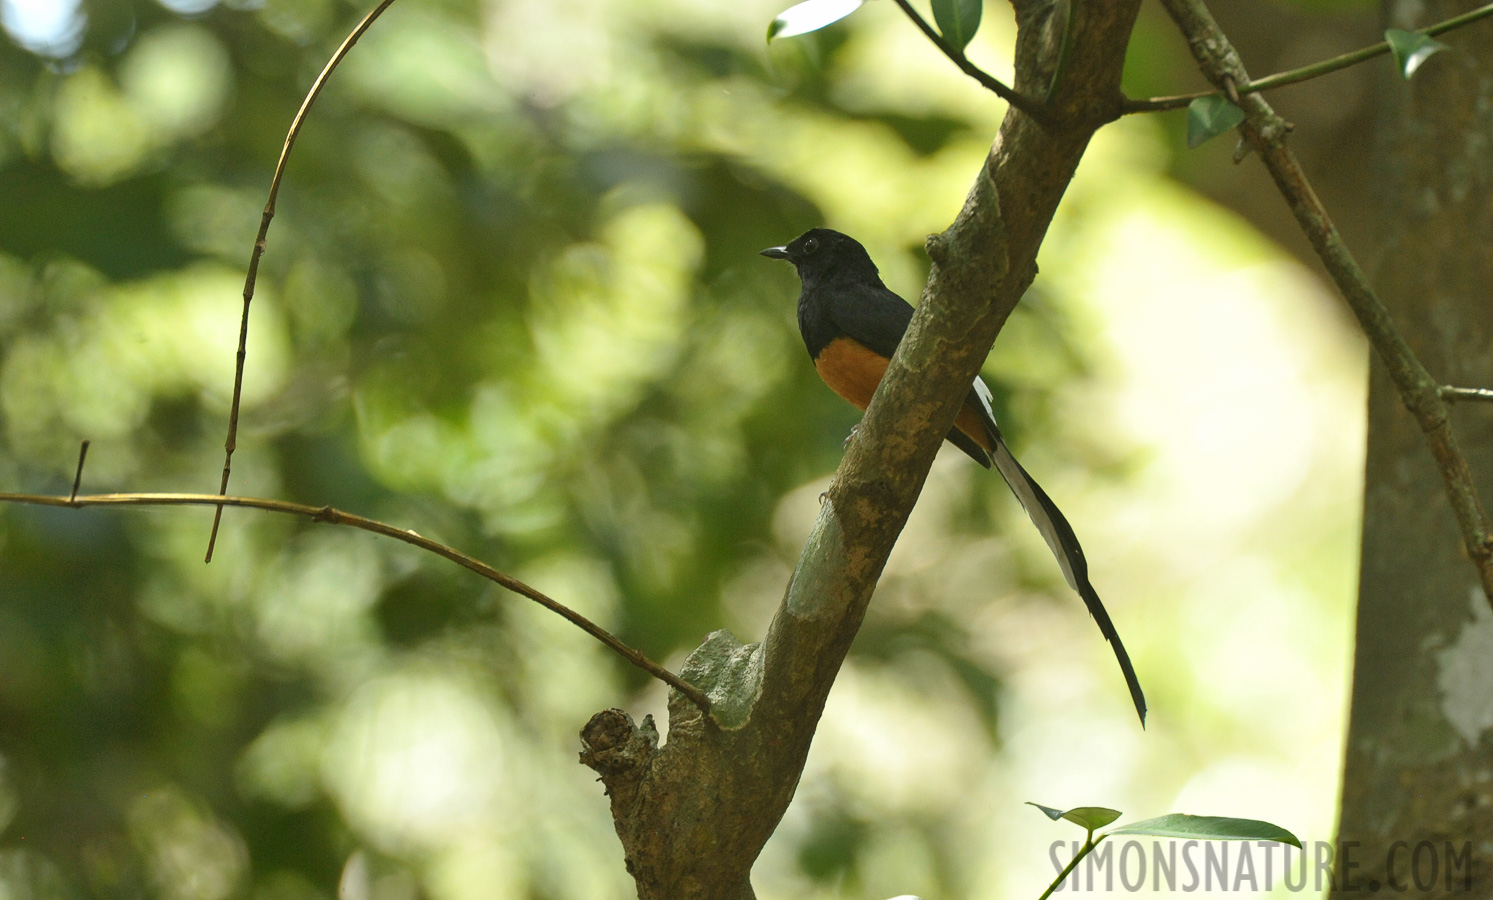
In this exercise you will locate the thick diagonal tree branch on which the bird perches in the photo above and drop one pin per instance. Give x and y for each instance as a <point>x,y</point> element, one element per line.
<point>693,814</point>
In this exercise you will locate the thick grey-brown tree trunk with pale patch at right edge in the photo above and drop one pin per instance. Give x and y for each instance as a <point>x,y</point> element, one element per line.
<point>1419,759</point>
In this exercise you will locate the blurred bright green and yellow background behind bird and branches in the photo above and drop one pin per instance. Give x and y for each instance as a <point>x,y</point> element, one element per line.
<point>513,301</point>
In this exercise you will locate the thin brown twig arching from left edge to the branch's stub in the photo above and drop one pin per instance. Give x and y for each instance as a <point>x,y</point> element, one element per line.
<point>337,517</point>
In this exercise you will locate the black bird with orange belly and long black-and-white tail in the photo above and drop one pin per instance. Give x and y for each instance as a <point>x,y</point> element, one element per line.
<point>852,325</point>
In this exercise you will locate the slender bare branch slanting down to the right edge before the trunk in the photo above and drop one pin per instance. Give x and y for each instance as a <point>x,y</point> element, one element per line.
<point>1421,393</point>
